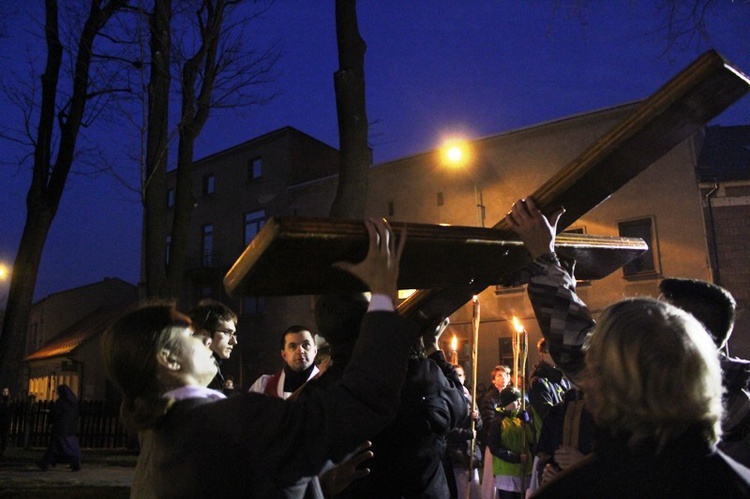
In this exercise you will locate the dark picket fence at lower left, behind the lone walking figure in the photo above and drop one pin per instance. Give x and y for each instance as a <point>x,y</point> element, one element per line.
<point>99,425</point>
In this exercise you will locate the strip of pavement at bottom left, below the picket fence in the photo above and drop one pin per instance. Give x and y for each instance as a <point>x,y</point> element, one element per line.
<point>104,473</point>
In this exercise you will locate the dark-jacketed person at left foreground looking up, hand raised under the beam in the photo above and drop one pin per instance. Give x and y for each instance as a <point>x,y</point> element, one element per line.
<point>259,446</point>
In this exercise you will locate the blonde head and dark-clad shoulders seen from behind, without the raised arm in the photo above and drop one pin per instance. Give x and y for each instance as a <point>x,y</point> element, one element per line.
<point>654,386</point>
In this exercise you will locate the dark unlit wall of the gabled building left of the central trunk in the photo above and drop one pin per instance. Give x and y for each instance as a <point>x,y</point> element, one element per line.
<point>289,157</point>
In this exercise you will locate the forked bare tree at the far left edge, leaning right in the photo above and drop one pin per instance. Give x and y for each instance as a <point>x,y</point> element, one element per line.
<point>59,122</point>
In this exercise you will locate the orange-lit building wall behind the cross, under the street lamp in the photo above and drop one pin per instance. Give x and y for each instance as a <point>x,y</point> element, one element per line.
<point>512,166</point>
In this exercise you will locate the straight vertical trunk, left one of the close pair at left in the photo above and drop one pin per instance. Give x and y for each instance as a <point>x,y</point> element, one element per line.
<point>157,140</point>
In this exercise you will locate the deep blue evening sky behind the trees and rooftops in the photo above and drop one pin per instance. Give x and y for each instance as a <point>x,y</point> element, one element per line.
<point>433,67</point>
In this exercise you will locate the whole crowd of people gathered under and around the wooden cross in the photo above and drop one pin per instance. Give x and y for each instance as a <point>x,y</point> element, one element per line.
<point>643,402</point>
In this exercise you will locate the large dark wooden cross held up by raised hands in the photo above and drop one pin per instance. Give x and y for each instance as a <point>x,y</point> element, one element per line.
<point>293,255</point>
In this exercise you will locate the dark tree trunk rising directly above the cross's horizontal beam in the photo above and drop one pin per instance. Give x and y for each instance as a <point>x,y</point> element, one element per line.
<point>349,82</point>
